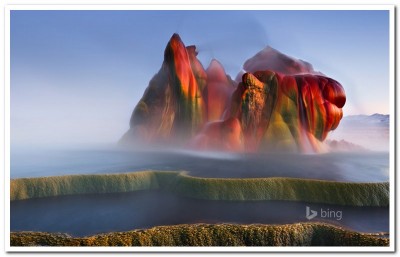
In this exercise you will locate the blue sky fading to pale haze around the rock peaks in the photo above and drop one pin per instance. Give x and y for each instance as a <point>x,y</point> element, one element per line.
<point>77,75</point>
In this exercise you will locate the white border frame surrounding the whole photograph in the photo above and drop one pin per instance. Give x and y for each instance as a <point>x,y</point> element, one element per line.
<point>392,236</point>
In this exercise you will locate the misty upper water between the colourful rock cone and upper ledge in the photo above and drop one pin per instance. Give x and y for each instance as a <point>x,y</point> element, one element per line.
<point>353,167</point>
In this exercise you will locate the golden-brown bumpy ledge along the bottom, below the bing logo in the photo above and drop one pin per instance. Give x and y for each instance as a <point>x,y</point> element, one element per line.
<point>300,234</point>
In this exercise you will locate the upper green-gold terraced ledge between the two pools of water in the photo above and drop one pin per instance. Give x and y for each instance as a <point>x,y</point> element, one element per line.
<point>274,188</point>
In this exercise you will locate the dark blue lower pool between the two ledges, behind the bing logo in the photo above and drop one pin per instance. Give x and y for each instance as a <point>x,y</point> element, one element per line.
<point>91,214</point>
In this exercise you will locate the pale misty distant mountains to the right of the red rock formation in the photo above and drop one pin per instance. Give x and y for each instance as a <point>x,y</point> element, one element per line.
<point>368,131</point>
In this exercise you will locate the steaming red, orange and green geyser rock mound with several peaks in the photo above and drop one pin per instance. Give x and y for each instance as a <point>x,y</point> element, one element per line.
<point>280,104</point>
